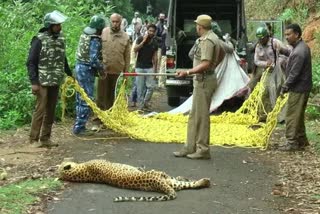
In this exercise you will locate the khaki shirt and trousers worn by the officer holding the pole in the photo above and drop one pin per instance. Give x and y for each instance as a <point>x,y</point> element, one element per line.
<point>198,136</point>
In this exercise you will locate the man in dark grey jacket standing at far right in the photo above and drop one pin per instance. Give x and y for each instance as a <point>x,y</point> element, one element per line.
<point>298,84</point>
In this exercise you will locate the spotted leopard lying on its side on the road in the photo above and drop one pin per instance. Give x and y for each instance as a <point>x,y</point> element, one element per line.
<point>129,177</point>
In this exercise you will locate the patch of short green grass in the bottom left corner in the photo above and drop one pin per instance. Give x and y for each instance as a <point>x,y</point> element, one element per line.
<point>15,198</point>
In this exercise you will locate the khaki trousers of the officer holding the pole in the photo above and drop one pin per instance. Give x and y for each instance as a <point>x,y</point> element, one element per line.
<point>198,134</point>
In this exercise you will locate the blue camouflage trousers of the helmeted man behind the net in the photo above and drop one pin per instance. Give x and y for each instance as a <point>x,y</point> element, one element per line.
<point>85,78</point>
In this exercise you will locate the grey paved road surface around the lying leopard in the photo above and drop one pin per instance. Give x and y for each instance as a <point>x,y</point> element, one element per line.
<point>243,181</point>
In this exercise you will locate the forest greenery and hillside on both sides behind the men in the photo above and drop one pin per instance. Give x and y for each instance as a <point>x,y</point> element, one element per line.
<point>21,20</point>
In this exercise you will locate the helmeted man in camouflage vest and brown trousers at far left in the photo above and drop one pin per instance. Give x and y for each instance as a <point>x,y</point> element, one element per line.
<point>46,66</point>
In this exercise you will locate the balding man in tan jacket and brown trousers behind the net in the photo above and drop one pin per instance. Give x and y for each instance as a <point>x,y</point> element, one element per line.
<point>116,59</point>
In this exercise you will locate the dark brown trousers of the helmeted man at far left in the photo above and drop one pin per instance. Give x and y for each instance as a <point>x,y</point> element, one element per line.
<point>43,115</point>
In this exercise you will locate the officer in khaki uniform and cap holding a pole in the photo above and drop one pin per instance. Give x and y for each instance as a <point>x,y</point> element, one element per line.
<point>207,55</point>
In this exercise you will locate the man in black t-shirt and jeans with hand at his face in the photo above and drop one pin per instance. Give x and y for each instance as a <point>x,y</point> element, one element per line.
<point>146,48</point>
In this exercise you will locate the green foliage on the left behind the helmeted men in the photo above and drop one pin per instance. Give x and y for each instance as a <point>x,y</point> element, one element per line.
<point>20,21</point>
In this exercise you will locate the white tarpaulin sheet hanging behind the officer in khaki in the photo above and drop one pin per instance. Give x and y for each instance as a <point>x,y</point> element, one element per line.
<point>231,78</point>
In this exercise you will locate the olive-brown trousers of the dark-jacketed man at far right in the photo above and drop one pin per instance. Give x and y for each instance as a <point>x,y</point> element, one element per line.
<point>295,127</point>
